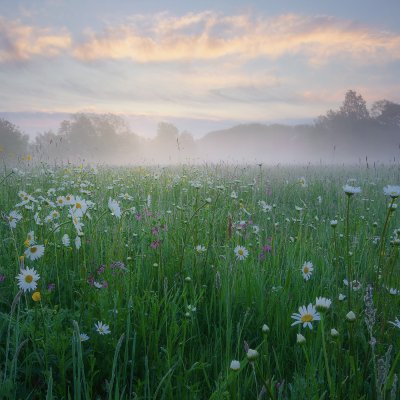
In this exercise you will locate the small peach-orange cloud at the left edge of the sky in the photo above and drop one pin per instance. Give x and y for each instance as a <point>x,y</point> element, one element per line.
<point>19,42</point>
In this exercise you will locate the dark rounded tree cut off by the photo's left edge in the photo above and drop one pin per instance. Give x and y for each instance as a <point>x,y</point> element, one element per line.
<point>12,141</point>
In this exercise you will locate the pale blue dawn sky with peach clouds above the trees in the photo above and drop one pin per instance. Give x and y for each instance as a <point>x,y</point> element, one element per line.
<point>202,65</point>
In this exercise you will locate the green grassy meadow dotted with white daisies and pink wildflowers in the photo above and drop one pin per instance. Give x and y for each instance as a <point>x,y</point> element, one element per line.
<point>212,282</point>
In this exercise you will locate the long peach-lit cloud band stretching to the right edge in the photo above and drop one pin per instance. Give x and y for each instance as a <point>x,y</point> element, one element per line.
<point>208,35</point>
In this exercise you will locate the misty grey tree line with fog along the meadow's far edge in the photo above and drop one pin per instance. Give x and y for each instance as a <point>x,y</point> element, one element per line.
<point>349,134</point>
